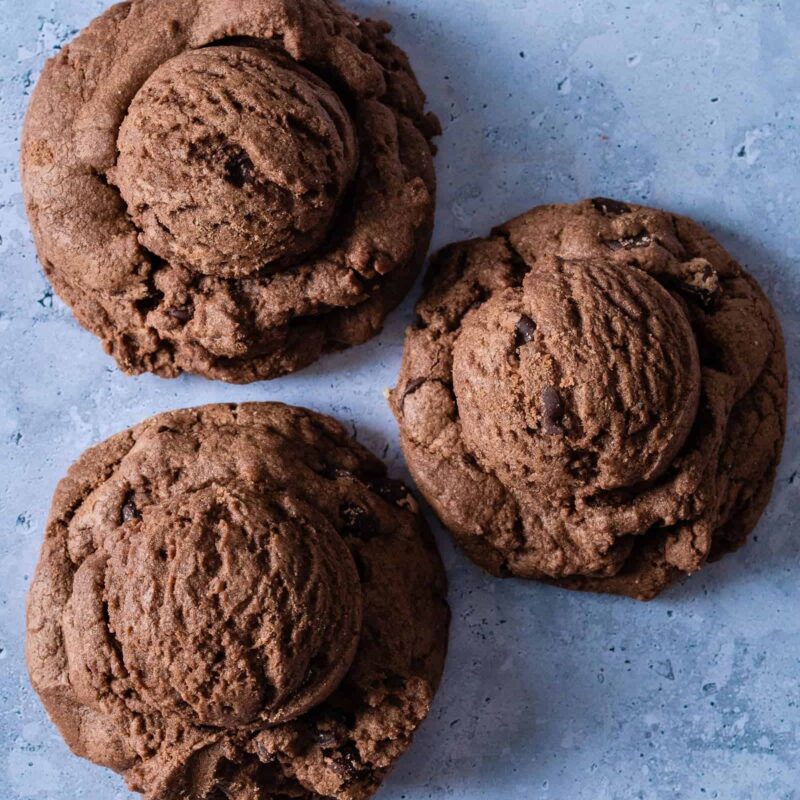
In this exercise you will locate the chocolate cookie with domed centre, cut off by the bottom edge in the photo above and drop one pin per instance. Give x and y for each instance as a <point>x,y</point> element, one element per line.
<point>236,602</point>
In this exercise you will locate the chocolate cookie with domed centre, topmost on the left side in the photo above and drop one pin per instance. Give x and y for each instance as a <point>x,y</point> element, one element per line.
<point>229,187</point>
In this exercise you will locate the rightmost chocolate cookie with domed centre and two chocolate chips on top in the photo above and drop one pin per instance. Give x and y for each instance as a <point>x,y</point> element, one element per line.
<point>594,396</point>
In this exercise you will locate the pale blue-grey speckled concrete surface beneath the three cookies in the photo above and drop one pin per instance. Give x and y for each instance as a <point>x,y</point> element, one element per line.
<point>688,104</point>
